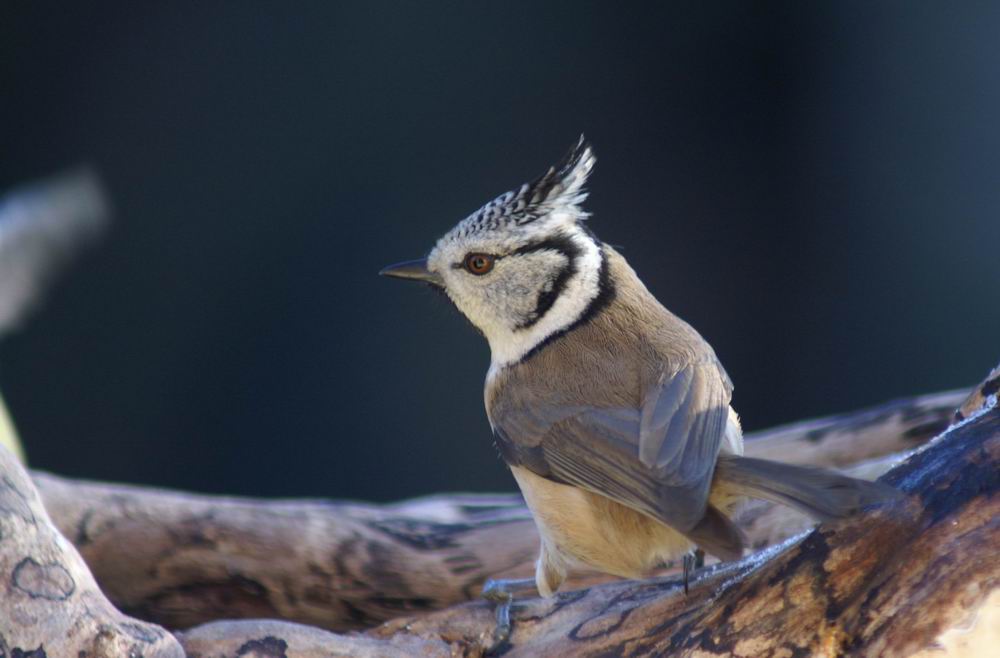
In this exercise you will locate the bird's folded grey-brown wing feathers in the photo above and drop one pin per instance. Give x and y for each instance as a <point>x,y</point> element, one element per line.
<point>657,459</point>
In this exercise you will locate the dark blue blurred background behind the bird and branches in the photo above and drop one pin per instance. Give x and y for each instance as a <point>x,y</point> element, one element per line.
<point>814,186</point>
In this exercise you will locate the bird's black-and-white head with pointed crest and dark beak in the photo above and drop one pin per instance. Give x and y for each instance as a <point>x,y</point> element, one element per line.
<point>523,267</point>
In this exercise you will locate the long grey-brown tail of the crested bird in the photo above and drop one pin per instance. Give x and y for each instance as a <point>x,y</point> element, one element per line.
<point>818,492</point>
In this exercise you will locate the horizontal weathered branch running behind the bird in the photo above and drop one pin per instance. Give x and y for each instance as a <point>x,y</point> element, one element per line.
<point>183,559</point>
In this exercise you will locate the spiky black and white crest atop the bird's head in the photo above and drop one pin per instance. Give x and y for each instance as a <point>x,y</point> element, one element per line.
<point>560,189</point>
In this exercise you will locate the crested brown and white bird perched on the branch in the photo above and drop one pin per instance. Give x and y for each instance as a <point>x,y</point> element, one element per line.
<point>612,413</point>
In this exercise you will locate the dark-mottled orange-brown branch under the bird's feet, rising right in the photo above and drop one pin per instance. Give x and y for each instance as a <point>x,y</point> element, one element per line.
<point>916,577</point>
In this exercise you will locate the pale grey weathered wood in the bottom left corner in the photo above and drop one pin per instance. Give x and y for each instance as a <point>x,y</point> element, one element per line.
<point>49,602</point>
